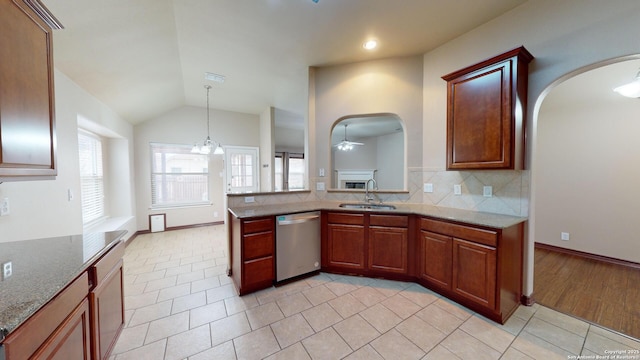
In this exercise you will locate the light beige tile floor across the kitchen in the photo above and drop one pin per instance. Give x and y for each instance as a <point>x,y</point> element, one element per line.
<point>181,305</point>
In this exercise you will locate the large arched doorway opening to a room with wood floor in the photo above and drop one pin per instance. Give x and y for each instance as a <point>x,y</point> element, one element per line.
<point>585,176</point>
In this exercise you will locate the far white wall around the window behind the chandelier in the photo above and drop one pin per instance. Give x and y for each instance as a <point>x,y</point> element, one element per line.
<point>187,125</point>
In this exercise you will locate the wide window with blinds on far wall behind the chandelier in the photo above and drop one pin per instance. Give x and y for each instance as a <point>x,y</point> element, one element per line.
<point>178,177</point>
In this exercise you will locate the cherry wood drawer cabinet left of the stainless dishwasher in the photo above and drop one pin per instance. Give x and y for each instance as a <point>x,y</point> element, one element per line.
<point>252,253</point>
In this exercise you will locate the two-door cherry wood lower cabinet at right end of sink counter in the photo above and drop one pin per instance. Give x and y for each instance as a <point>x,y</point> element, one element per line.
<point>479,267</point>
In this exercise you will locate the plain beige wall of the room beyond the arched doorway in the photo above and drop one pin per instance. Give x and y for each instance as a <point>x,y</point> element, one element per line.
<point>587,178</point>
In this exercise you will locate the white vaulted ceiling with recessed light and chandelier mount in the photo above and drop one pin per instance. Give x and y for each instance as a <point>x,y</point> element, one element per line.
<point>145,57</point>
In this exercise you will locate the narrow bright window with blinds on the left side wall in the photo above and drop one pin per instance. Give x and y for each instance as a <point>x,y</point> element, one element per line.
<point>91,177</point>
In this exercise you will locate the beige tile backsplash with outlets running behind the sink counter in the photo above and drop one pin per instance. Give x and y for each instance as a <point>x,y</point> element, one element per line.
<point>510,192</point>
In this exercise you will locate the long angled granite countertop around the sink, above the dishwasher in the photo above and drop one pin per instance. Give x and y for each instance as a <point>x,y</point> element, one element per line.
<point>466,216</point>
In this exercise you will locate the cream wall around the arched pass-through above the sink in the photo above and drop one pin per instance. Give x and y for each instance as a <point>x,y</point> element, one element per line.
<point>380,86</point>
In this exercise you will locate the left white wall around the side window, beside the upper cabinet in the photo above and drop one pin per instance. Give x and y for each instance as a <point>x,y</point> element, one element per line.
<point>41,209</point>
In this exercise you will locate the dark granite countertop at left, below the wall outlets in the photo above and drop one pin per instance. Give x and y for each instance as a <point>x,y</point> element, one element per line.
<point>43,267</point>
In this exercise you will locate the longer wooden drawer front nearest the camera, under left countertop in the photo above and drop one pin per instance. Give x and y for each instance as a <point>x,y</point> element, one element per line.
<point>27,338</point>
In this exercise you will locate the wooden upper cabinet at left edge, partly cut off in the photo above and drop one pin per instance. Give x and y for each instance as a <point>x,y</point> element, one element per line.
<point>27,117</point>
